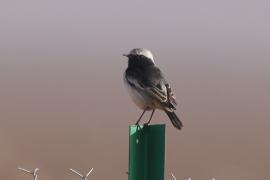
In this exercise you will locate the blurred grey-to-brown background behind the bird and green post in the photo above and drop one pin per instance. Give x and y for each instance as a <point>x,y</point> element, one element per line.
<point>63,102</point>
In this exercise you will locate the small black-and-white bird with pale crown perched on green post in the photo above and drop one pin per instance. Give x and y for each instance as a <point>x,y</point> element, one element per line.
<point>148,87</point>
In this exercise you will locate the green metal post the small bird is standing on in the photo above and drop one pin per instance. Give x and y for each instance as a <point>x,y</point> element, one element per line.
<point>146,152</point>
